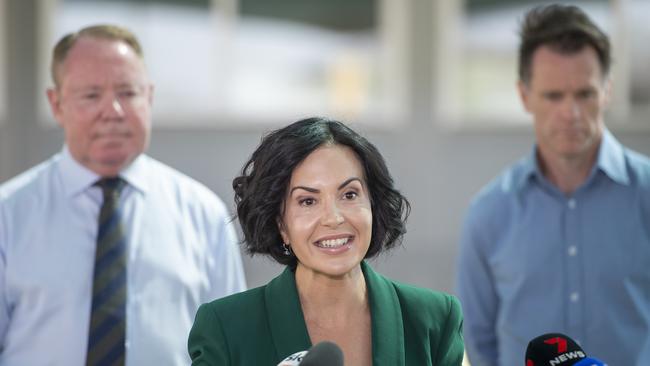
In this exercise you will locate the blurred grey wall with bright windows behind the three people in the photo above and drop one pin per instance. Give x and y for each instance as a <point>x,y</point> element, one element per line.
<point>431,83</point>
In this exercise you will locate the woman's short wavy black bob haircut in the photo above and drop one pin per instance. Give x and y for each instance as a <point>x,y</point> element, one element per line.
<point>261,189</point>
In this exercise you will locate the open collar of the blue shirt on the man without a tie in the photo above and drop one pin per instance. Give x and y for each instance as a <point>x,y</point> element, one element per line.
<point>611,161</point>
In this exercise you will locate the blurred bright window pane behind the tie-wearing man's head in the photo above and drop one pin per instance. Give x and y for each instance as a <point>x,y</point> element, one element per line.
<point>176,41</point>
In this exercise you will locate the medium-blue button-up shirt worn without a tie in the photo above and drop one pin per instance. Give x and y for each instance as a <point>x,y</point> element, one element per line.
<point>534,261</point>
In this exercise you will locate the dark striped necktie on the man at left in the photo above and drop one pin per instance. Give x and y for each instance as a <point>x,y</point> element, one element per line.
<point>108,313</point>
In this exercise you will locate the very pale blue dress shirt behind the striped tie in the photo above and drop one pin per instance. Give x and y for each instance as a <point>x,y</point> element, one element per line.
<point>182,252</point>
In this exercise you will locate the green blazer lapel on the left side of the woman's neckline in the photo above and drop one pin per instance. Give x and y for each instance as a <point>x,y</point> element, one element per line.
<point>287,323</point>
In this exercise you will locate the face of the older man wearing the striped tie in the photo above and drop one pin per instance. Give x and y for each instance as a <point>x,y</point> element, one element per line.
<point>103,103</point>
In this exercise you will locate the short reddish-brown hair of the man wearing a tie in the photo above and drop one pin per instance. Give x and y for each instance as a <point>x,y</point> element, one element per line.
<point>100,31</point>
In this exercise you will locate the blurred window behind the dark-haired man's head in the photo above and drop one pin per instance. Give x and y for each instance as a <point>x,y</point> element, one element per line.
<point>476,70</point>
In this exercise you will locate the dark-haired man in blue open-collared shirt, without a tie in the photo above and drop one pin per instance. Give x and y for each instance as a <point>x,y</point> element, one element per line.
<point>560,241</point>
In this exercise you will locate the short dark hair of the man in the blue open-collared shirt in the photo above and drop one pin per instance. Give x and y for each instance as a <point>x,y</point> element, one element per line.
<point>566,29</point>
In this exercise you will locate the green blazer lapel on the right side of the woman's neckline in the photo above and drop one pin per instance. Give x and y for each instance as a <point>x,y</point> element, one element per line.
<point>386,314</point>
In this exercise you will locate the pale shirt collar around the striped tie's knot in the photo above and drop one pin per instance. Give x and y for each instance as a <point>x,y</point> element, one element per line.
<point>77,178</point>
